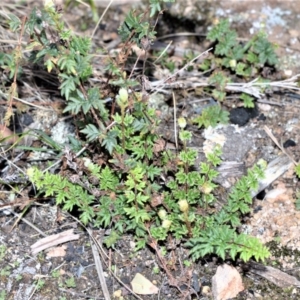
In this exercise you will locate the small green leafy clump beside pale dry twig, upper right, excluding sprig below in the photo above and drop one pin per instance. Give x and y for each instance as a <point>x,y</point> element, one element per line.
<point>241,60</point>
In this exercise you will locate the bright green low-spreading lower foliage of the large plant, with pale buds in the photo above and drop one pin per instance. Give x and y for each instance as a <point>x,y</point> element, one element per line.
<point>186,211</point>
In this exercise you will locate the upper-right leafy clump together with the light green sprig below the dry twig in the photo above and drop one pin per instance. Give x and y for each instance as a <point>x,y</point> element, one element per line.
<point>232,59</point>
